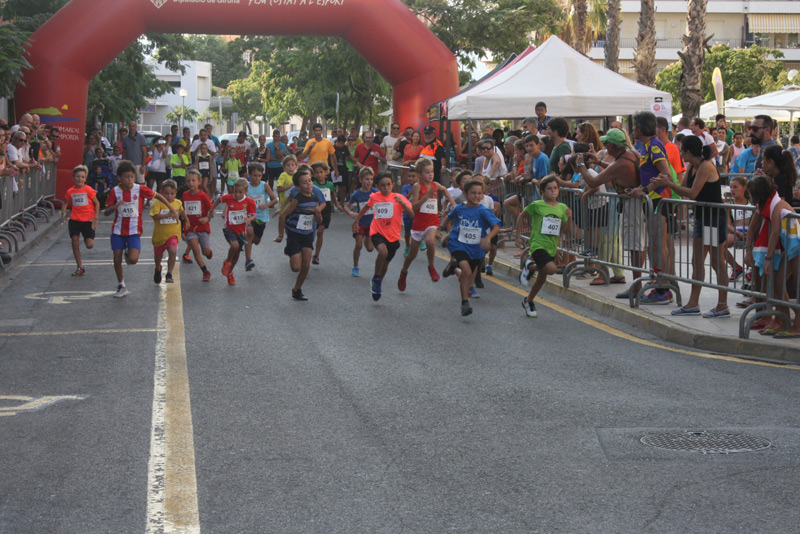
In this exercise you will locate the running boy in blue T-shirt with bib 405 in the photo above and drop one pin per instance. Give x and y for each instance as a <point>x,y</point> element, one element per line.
<point>473,227</point>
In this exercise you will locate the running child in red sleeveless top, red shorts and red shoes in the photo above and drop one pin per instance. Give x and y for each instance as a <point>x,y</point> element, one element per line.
<point>425,201</point>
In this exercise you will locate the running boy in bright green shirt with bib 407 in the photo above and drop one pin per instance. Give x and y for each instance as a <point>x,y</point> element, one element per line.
<point>549,219</point>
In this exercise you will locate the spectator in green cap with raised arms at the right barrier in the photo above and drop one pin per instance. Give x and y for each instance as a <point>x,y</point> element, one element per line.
<point>623,174</point>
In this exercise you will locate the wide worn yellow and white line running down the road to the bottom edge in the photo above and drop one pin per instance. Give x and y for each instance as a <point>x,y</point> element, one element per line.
<point>172,481</point>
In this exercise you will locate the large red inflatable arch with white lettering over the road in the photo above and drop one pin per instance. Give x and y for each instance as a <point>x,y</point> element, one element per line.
<point>83,37</point>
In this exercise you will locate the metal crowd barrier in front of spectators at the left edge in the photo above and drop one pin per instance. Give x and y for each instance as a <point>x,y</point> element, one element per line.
<point>28,206</point>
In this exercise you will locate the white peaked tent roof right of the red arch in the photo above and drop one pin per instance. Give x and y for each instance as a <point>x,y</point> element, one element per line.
<point>570,84</point>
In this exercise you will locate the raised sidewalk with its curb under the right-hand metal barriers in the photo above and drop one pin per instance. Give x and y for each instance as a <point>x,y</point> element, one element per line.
<point>713,335</point>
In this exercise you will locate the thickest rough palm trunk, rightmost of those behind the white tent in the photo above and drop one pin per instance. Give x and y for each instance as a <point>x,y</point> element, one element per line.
<point>693,58</point>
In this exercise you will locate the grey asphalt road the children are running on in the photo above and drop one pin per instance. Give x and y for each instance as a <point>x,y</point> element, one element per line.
<point>344,415</point>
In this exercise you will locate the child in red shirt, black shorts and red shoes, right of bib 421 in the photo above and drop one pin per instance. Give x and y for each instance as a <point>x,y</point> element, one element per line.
<point>239,215</point>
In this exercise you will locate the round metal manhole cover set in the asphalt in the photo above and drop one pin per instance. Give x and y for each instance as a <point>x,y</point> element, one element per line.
<point>706,442</point>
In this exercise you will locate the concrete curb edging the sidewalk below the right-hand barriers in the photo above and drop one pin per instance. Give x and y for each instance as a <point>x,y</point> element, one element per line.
<point>680,335</point>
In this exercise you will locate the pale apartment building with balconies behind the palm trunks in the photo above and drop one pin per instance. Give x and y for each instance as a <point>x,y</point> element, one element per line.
<point>737,23</point>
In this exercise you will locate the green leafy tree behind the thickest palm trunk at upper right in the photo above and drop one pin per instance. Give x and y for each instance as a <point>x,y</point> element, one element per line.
<point>748,72</point>
